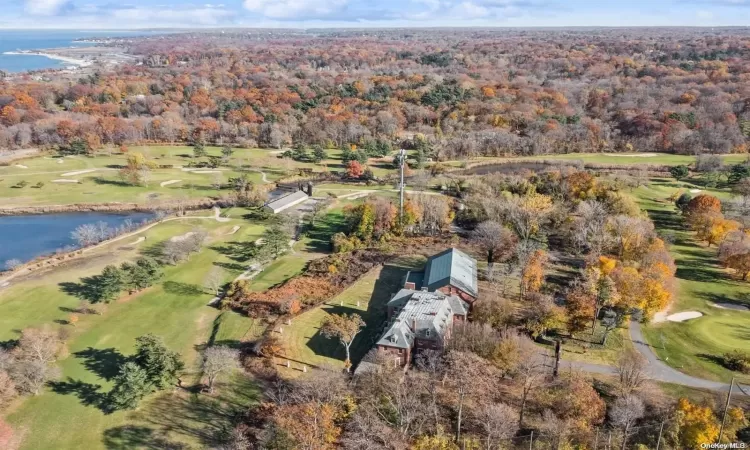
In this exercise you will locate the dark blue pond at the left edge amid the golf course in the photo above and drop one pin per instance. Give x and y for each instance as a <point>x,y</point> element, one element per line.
<point>27,237</point>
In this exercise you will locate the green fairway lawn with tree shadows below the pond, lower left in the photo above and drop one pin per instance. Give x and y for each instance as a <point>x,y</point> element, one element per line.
<point>66,416</point>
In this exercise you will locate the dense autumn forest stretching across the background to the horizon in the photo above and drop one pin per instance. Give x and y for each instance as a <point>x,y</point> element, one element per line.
<point>468,92</point>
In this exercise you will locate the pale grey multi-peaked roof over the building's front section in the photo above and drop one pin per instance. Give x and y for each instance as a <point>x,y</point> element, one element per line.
<point>422,314</point>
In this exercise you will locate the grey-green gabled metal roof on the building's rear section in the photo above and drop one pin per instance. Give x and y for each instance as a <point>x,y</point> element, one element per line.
<point>454,267</point>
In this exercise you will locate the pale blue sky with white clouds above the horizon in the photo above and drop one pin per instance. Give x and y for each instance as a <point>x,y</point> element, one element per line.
<point>126,14</point>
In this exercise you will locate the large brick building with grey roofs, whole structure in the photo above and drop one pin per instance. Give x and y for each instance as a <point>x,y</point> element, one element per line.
<point>422,314</point>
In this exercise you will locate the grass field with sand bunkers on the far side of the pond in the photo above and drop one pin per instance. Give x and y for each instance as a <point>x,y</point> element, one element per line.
<point>99,181</point>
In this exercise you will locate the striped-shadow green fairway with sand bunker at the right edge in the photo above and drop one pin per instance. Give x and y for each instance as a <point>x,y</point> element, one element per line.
<point>694,346</point>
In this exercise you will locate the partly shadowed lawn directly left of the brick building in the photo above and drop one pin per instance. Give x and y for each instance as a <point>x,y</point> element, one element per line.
<point>303,343</point>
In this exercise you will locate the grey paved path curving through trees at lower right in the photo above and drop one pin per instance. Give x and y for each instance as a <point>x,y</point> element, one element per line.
<point>656,369</point>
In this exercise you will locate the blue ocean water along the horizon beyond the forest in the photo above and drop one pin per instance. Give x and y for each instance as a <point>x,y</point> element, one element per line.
<point>13,40</point>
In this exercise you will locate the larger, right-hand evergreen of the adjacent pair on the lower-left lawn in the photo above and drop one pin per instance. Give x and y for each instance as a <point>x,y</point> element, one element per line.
<point>160,363</point>
